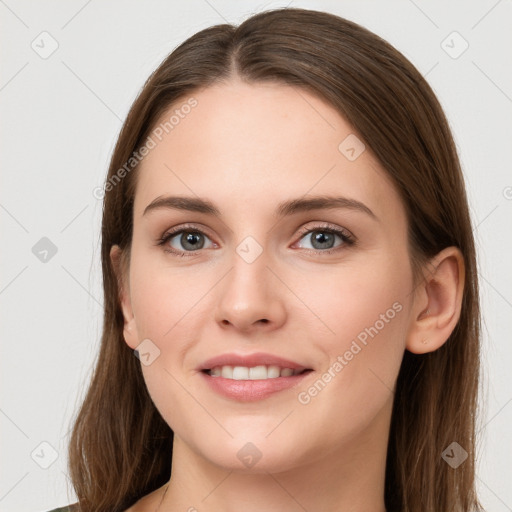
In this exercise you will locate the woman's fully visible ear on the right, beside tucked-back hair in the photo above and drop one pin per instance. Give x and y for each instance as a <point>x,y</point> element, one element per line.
<point>437,302</point>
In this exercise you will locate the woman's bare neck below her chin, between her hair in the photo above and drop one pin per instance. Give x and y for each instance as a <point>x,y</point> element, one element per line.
<point>350,477</point>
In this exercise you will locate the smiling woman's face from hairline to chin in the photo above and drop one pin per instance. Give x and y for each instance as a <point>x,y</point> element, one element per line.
<point>272,279</point>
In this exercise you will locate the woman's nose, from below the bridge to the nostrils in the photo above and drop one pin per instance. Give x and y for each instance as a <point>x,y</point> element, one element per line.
<point>251,298</point>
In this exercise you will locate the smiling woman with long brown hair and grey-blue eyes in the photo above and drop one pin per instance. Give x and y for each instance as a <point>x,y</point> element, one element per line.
<point>287,250</point>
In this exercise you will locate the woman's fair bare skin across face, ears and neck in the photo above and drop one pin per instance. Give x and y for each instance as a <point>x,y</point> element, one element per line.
<point>246,148</point>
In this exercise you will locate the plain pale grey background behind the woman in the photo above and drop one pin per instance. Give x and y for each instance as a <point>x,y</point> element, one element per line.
<point>60,117</point>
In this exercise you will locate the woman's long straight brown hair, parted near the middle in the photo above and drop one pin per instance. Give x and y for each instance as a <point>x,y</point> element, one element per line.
<point>120,447</point>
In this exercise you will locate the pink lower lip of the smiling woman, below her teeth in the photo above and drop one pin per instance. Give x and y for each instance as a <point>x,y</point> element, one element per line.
<point>251,390</point>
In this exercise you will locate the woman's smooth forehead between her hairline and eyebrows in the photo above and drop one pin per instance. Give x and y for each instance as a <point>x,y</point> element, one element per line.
<point>247,145</point>
